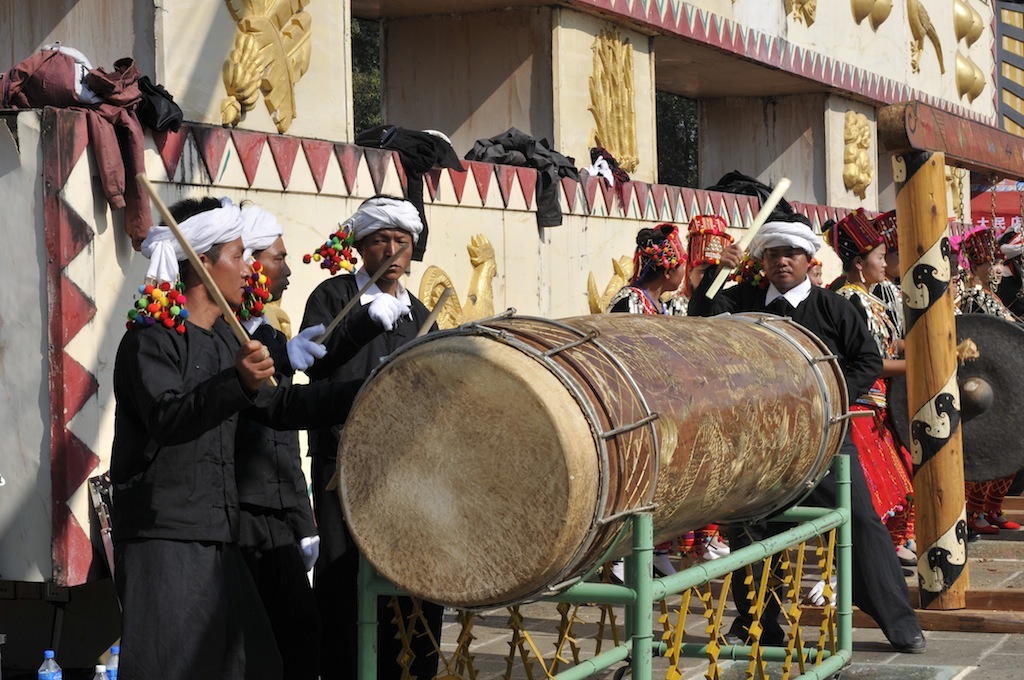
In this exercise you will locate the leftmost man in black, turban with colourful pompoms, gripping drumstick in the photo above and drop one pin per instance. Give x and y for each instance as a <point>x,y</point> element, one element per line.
<point>181,377</point>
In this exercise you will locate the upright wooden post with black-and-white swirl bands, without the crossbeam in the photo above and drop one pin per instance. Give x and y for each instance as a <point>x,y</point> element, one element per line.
<point>933,395</point>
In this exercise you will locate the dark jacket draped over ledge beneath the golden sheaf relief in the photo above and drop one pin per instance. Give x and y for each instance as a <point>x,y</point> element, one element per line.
<point>517,148</point>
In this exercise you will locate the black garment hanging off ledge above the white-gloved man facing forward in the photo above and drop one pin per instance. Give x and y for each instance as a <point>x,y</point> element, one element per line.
<point>419,153</point>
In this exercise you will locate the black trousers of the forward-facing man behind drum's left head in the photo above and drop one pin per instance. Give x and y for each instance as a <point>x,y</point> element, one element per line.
<point>336,590</point>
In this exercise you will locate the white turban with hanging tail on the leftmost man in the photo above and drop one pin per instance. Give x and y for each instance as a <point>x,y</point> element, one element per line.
<point>203,231</point>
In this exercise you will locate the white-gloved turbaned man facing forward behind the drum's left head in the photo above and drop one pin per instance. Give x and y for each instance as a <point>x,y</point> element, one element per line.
<point>381,227</point>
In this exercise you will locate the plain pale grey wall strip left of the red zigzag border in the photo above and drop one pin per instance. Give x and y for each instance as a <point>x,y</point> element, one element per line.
<point>25,456</point>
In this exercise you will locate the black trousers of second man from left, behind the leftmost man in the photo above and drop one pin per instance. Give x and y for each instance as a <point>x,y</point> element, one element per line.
<point>269,545</point>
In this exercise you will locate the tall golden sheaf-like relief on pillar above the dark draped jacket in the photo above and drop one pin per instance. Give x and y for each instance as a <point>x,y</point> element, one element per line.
<point>612,99</point>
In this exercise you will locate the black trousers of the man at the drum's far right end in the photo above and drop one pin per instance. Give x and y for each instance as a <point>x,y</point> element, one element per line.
<point>879,587</point>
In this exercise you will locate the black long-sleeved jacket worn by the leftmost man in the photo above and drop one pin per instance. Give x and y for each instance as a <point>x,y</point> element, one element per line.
<point>179,398</point>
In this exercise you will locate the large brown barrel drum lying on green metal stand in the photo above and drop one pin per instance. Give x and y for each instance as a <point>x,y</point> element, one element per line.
<point>498,462</point>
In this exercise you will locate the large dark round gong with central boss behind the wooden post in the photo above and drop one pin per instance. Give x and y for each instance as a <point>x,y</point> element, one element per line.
<point>994,442</point>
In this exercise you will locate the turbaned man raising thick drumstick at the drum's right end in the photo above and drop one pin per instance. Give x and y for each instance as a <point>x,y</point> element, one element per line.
<point>786,244</point>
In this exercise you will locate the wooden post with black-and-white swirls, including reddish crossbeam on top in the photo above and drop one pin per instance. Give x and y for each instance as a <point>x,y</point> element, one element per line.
<point>925,139</point>
